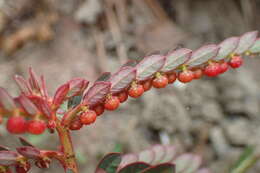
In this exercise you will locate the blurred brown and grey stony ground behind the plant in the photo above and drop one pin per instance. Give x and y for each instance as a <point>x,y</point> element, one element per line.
<point>61,39</point>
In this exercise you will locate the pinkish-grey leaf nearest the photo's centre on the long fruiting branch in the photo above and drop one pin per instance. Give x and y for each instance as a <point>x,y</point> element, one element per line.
<point>122,79</point>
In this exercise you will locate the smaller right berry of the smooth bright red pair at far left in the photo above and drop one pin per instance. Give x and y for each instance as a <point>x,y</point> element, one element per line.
<point>36,127</point>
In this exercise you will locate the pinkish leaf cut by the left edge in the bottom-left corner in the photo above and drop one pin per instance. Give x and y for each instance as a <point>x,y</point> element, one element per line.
<point>8,158</point>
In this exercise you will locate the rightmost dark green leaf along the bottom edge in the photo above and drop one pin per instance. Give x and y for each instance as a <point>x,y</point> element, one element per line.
<point>161,168</point>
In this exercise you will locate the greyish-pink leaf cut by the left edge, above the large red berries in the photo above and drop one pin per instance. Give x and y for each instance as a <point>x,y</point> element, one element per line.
<point>6,100</point>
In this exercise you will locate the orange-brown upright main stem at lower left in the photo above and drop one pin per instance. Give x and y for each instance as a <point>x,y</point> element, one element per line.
<point>70,162</point>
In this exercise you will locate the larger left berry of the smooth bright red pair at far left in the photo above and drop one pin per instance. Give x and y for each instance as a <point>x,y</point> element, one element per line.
<point>16,125</point>
